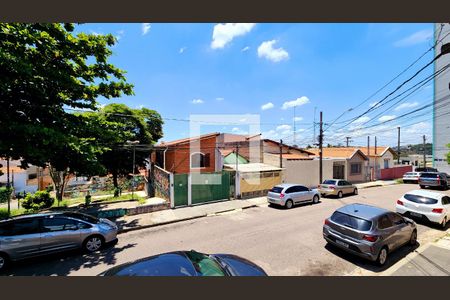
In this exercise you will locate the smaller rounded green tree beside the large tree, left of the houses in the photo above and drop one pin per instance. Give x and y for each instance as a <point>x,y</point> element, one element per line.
<point>116,124</point>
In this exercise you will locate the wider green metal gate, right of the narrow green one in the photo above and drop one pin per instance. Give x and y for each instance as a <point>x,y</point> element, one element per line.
<point>205,190</point>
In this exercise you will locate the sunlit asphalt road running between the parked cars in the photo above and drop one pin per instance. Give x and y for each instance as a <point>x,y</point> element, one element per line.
<point>283,242</point>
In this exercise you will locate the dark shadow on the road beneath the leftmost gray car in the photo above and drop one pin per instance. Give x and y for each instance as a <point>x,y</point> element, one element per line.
<point>62,264</point>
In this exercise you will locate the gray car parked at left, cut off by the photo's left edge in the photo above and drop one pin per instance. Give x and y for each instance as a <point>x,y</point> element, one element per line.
<point>40,234</point>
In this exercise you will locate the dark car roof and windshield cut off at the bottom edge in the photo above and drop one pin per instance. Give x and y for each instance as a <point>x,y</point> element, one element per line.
<point>187,263</point>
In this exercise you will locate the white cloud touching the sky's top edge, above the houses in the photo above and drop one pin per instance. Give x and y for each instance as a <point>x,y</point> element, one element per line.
<point>225,33</point>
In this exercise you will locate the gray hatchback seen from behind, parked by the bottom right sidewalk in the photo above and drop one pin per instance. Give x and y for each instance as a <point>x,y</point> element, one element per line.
<point>368,231</point>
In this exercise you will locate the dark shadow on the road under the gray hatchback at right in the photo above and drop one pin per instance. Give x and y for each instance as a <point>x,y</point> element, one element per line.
<point>393,257</point>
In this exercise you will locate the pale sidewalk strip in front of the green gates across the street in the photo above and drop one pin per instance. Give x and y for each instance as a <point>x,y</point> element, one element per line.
<point>129,223</point>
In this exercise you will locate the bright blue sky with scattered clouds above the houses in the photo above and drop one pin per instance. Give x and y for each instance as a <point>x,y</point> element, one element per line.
<point>237,69</point>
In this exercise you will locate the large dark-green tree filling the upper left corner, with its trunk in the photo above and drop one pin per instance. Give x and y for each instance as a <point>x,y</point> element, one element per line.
<point>45,70</point>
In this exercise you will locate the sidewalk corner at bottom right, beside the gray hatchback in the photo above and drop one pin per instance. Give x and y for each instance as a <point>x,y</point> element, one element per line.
<point>431,260</point>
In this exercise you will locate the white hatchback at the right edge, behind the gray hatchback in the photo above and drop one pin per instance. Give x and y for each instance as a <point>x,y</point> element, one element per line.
<point>425,205</point>
